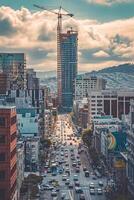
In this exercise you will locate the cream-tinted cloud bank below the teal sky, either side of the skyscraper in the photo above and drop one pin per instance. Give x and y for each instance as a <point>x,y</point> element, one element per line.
<point>35,34</point>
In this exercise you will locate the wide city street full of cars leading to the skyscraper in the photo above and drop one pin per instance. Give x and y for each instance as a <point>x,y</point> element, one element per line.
<point>64,177</point>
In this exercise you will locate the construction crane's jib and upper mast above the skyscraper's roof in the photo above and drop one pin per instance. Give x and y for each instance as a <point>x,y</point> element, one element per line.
<point>59,14</point>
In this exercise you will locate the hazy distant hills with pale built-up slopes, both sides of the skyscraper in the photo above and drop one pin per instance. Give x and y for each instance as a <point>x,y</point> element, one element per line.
<point>121,76</point>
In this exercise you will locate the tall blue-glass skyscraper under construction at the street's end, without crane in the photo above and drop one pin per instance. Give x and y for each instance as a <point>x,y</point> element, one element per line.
<point>66,67</point>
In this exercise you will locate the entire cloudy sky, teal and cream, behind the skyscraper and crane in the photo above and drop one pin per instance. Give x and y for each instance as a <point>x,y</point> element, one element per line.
<point>106,31</point>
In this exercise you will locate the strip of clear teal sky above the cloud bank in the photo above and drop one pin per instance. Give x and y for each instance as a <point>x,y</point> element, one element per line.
<point>81,8</point>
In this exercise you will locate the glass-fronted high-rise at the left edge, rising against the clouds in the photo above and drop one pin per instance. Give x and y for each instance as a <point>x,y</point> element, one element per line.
<point>14,66</point>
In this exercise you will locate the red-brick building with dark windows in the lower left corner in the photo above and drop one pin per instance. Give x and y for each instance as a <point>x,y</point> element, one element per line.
<point>8,160</point>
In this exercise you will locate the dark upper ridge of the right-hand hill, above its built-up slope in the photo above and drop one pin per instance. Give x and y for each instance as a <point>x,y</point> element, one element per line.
<point>124,68</point>
